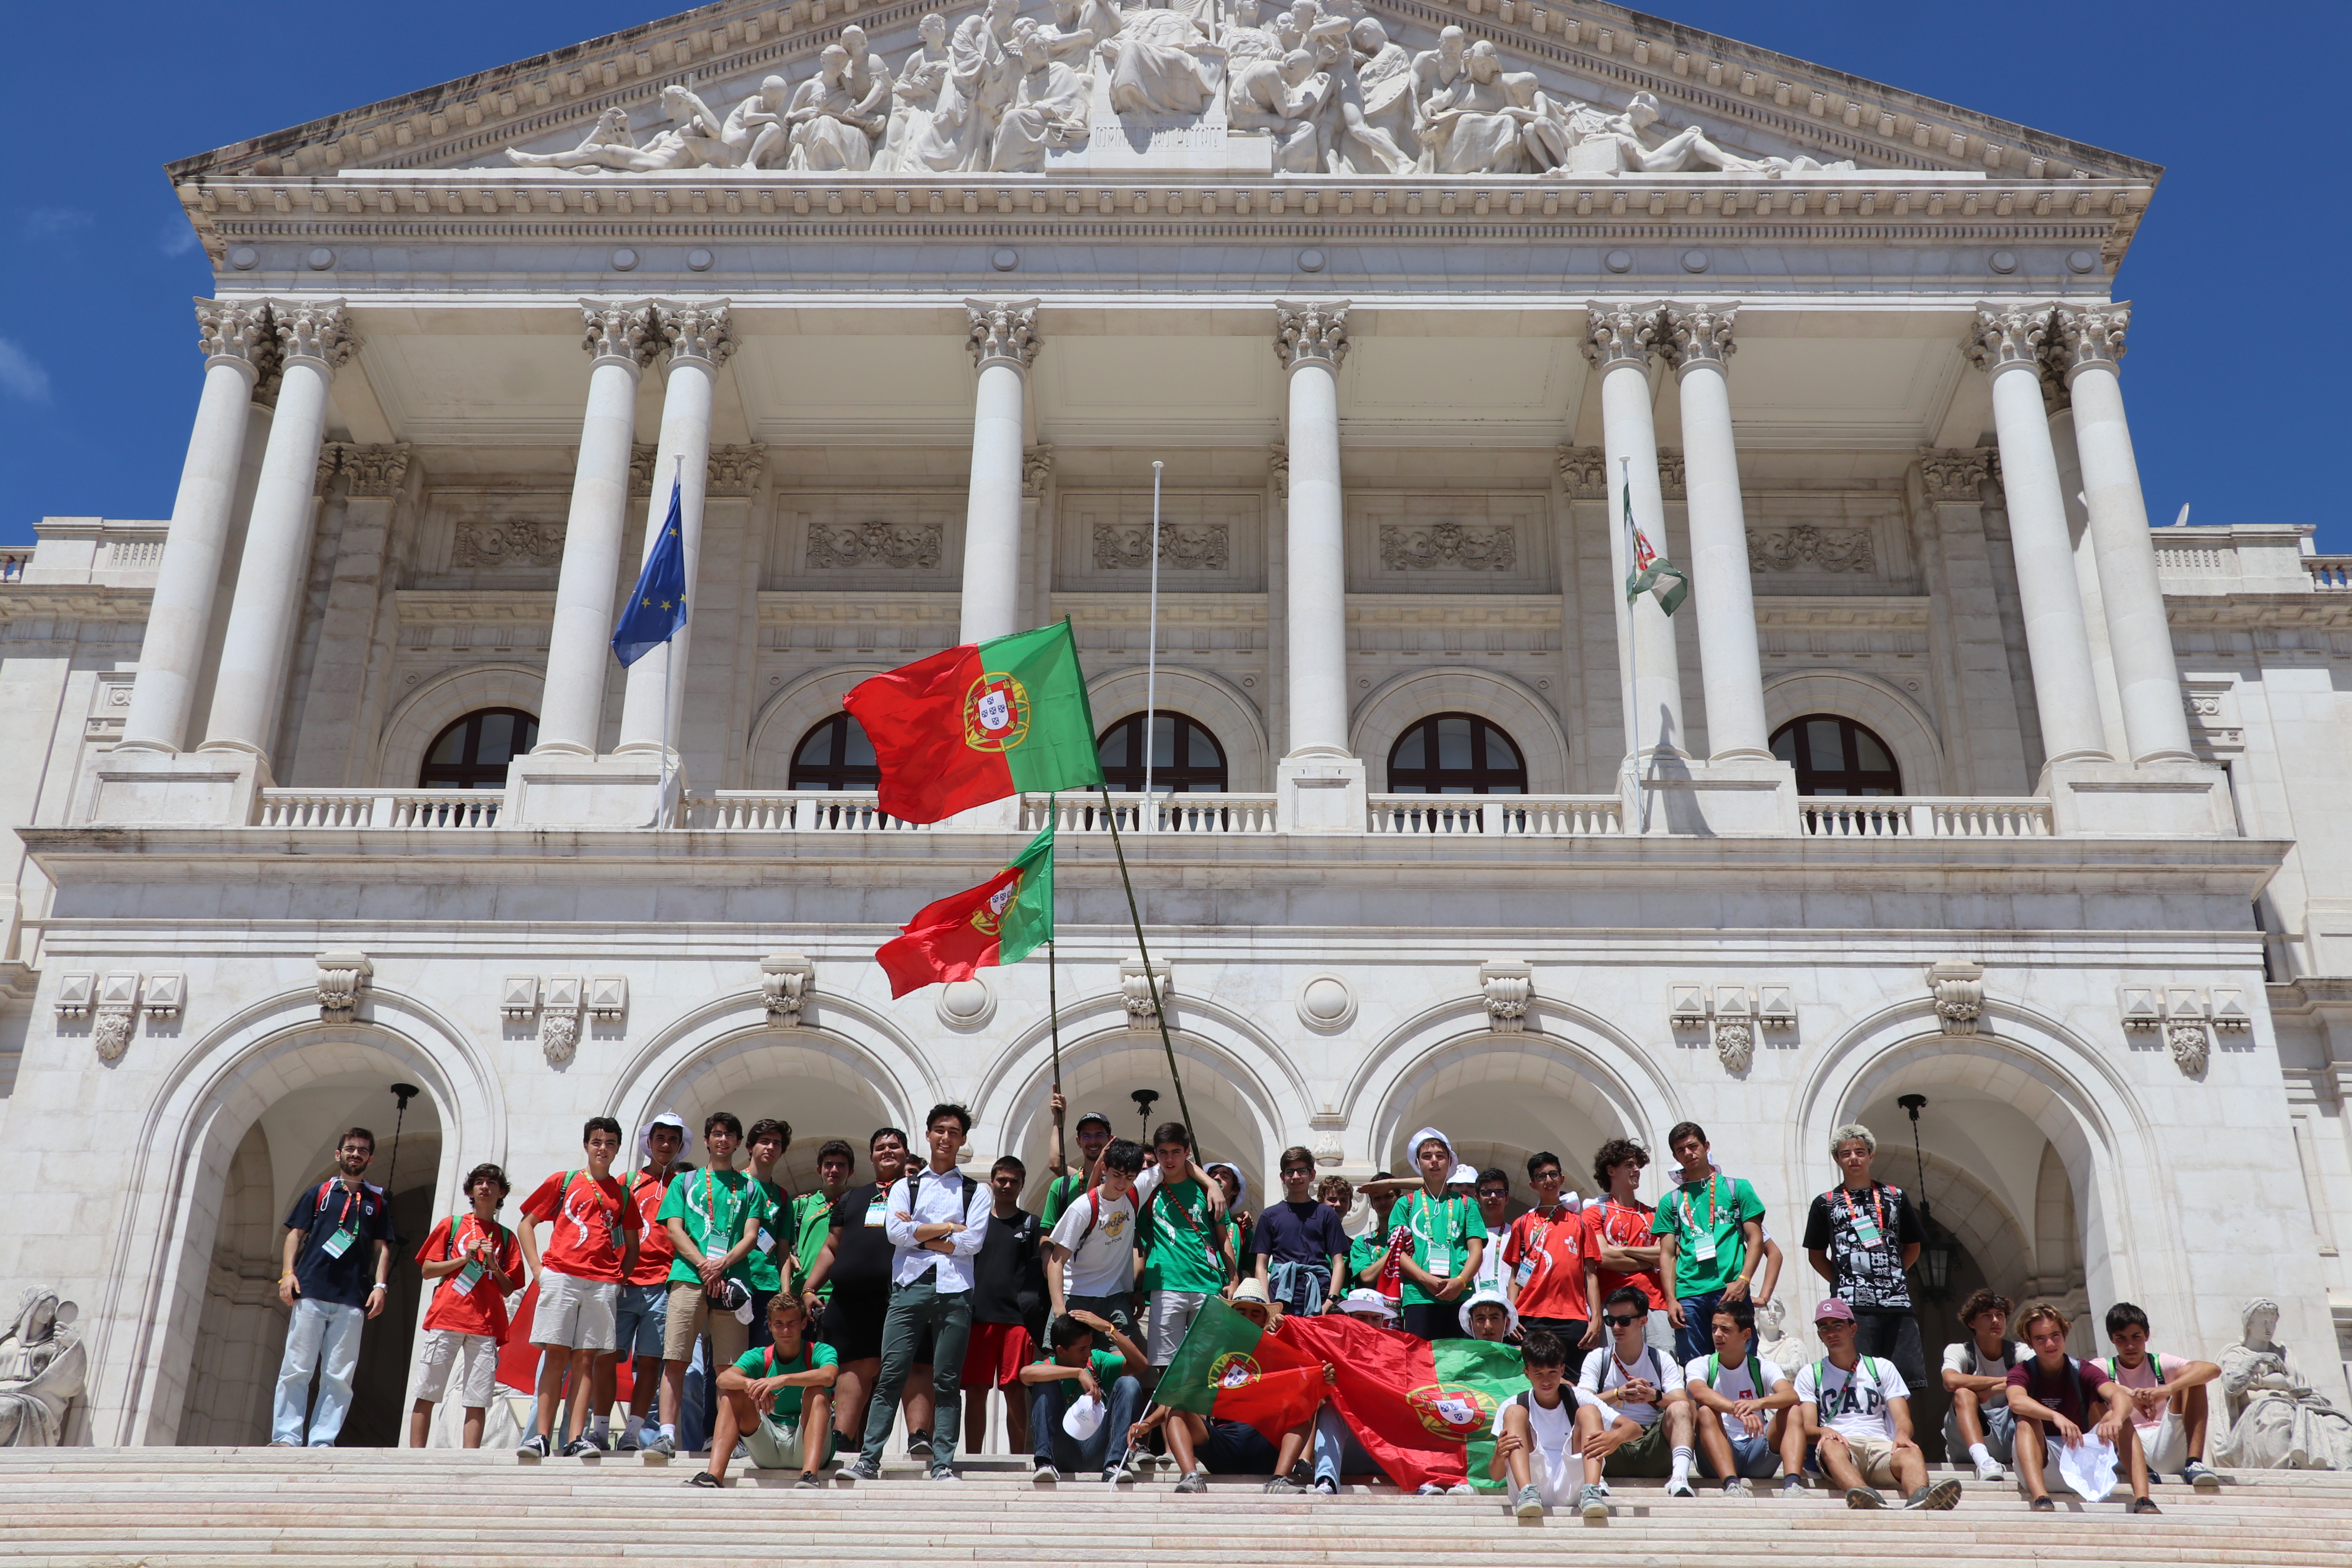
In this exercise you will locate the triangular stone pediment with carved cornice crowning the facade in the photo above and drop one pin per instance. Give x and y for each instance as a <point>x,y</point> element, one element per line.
<point>1723,107</point>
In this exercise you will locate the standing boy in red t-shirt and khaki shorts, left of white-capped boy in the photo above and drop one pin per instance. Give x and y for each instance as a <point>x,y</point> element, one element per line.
<point>580,1280</point>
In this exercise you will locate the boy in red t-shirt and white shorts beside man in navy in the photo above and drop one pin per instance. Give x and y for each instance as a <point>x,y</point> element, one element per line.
<point>474,1266</point>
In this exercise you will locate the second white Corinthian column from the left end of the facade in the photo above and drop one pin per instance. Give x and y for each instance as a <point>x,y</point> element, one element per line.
<point>316,340</point>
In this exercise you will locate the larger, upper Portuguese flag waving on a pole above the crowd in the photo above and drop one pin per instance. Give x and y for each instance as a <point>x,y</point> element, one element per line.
<point>980,723</point>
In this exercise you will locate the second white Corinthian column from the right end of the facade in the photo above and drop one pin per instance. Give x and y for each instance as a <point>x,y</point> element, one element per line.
<point>2007,344</point>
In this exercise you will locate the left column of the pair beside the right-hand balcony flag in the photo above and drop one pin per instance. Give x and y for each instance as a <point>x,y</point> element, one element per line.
<point>1619,347</point>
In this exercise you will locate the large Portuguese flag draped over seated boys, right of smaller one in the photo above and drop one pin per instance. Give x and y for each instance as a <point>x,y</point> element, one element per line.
<point>1424,1412</point>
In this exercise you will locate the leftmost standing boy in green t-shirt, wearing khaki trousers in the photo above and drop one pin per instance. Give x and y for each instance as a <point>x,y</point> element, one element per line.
<point>711,1221</point>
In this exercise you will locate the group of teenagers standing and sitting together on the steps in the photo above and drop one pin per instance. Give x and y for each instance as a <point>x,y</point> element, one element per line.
<point>834,1311</point>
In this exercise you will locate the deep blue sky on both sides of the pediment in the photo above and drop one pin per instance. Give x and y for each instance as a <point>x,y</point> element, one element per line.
<point>2236,391</point>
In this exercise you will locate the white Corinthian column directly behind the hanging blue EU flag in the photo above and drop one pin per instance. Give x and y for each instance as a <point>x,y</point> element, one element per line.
<point>702,340</point>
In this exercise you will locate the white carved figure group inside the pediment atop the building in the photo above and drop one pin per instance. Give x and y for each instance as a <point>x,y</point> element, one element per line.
<point>1325,91</point>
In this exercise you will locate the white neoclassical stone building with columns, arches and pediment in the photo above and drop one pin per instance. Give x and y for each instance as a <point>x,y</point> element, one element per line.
<point>1953,779</point>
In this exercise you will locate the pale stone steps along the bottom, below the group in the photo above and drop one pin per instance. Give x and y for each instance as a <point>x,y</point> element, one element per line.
<point>194,1508</point>
